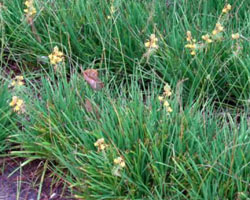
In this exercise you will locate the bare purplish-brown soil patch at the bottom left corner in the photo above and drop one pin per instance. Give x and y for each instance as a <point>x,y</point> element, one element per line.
<point>24,183</point>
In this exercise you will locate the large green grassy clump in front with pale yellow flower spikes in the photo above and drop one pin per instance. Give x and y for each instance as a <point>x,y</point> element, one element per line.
<point>132,147</point>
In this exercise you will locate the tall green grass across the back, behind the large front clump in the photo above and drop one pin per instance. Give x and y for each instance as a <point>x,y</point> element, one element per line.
<point>111,34</point>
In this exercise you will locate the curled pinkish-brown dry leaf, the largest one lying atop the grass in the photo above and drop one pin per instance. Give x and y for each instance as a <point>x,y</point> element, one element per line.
<point>91,76</point>
